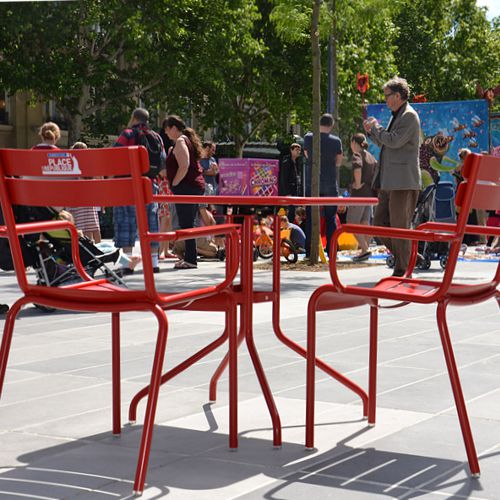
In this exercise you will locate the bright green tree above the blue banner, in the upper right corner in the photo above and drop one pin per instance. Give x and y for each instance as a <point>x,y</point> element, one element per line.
<point>445,47</point>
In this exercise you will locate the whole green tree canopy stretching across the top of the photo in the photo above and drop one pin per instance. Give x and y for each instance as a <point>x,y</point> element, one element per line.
<point>243,66</point>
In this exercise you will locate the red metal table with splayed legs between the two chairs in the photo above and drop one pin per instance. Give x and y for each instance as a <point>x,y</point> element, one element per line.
<point>246,296</point>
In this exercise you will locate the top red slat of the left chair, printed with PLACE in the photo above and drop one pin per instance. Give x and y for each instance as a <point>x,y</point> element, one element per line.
<point>72,162</point>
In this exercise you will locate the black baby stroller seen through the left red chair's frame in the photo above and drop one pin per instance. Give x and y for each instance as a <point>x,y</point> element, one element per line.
<point>49,254</point>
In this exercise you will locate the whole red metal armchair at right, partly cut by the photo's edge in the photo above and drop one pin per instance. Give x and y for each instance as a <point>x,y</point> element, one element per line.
<point>481,189</point>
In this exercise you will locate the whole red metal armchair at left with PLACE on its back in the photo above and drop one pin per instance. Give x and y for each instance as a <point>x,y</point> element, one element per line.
<point>61,178</point>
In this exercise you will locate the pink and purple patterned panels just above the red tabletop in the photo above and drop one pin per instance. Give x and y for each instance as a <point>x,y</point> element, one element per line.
<point>248,177</point>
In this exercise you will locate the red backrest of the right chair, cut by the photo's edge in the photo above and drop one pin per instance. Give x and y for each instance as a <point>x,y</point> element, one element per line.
<point>480,189</point>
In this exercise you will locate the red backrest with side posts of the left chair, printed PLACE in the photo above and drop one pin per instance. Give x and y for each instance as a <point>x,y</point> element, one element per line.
<point>71,178</point>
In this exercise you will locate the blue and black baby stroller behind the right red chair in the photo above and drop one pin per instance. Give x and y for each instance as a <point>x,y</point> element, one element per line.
<point>436,203</point>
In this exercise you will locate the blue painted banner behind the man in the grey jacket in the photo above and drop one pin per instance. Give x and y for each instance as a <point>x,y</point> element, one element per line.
<point>446,127</point>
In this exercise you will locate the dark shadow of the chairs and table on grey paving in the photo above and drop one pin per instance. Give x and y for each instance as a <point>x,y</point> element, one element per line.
<point>103,466</point>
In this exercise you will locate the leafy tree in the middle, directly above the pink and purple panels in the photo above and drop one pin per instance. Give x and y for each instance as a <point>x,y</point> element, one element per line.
<point>253,78</point>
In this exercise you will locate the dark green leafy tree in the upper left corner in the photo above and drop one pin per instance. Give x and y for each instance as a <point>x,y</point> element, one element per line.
<point>84,55</point>
